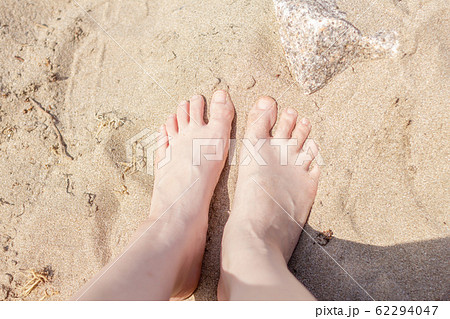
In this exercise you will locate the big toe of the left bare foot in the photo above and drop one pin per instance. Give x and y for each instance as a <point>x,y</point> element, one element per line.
<point>222,109</point>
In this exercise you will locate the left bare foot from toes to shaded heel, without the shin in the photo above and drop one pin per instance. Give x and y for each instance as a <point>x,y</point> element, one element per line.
<point>190,175</point>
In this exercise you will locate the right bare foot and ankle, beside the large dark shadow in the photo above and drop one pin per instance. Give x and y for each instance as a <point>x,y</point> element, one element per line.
<point>271,205</point>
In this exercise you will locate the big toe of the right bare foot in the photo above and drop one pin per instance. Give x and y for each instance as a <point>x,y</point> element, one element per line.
<point>261,118</point>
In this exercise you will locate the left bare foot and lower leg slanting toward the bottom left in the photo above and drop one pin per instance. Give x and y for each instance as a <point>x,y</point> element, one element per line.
<point>164,258</point>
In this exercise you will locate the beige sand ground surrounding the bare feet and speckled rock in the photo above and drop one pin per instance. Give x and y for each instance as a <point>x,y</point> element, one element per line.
<point>382,126</point>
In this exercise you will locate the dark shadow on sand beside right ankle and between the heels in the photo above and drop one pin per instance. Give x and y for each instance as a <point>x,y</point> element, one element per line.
<point>411,271</point>
